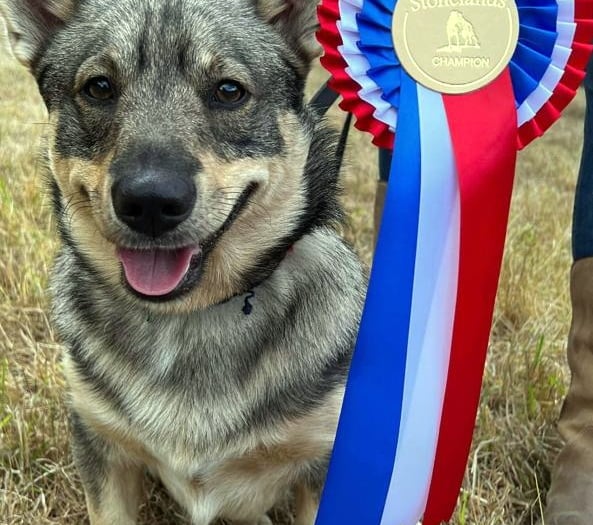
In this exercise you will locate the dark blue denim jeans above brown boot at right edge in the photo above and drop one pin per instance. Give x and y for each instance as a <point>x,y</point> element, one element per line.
<point>582,226</point>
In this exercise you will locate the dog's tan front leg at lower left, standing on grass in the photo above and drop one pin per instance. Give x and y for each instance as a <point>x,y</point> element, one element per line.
<point>112,482</point>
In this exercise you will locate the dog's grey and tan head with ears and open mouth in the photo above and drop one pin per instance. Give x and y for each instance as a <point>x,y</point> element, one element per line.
<point>177,143</point>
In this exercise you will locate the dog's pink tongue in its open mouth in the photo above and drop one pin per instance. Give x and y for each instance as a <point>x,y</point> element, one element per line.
<point>155,272</point>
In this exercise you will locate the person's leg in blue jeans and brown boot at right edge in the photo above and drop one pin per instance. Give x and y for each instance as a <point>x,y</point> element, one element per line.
<point>570,499</point>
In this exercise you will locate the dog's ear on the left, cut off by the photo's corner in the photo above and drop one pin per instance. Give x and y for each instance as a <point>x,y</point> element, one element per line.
<point>31,23</point>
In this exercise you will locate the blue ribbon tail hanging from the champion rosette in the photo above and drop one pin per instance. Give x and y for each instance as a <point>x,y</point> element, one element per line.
<point>360,468</point>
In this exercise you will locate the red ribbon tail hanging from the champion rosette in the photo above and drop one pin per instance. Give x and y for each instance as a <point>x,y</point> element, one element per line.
<point>483,127</point>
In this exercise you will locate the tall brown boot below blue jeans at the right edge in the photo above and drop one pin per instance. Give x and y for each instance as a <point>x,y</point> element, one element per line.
<point>570,500</point>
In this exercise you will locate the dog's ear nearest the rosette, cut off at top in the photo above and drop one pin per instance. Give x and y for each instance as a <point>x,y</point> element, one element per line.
<point>296,21</point>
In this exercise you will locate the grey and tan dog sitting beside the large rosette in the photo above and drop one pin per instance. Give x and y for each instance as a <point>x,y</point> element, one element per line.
<point>206,301</point>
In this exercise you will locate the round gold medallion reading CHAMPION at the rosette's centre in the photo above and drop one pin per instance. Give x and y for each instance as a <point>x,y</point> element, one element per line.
<point>455,46</point>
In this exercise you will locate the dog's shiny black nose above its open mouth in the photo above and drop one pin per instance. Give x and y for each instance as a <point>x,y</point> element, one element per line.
<point>153,204</point>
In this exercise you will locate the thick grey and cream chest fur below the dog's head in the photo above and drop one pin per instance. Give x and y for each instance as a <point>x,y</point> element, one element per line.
<point>215,391</point>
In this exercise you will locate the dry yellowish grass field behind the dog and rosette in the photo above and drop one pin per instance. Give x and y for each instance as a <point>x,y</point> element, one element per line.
<point>515,440</point>
